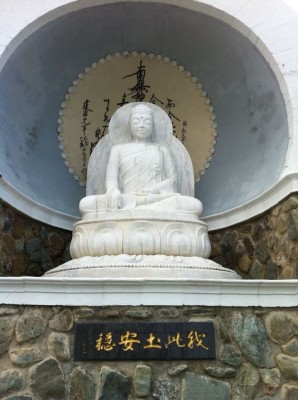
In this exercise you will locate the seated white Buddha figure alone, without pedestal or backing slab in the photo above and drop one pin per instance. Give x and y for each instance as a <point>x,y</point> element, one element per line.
<point>141,174</point>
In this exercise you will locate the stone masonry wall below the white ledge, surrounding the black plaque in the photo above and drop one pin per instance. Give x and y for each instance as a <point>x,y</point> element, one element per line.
<point>256,356</point>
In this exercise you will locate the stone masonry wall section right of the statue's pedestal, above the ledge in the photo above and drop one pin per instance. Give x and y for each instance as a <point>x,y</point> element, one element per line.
<point>264,248</point>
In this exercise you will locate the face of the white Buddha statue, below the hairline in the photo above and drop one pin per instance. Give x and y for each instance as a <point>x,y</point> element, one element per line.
<point>141,126</point>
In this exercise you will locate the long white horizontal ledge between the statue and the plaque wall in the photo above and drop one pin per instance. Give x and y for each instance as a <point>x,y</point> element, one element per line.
<point>104,292</point>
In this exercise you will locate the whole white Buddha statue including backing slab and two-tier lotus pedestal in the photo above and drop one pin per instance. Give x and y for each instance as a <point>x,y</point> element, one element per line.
<point>140,217</point>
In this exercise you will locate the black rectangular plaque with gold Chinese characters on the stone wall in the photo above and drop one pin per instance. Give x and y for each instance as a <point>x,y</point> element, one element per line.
<point>144,341</point>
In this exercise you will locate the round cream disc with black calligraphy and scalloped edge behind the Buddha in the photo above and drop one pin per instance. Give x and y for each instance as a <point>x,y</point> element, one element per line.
<point>125,78</point>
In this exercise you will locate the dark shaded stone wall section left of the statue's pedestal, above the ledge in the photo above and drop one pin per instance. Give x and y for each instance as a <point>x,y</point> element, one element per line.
<point>29,247</point>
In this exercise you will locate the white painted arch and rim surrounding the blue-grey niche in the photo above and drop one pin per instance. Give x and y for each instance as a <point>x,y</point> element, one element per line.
<point>270,25</point>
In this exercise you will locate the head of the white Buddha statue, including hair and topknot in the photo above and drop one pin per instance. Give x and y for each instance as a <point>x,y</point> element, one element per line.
<point>141,123</point>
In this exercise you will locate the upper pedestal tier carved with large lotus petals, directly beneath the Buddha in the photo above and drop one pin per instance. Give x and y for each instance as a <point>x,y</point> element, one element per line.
<point>141,232</point>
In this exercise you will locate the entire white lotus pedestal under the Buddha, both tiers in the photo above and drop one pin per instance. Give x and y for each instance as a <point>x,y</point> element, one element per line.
<point>141,245</point>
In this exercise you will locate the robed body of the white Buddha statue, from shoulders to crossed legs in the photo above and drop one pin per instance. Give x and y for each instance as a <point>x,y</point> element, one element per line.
<point>144,173</point>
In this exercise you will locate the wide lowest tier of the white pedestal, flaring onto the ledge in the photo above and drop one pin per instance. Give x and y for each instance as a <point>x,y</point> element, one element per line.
<point>145,267</point>
